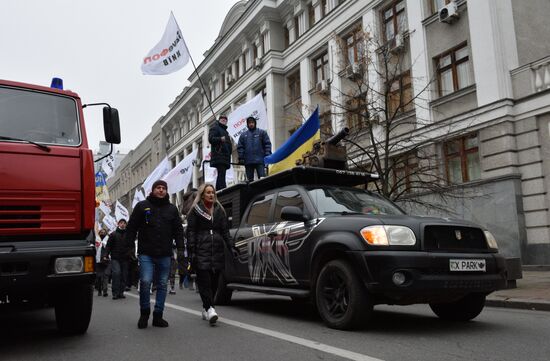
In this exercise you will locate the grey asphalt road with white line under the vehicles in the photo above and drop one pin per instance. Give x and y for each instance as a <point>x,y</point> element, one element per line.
<point>259,327</point>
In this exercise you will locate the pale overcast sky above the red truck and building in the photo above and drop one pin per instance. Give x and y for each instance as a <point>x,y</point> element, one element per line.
<point>96,47</point>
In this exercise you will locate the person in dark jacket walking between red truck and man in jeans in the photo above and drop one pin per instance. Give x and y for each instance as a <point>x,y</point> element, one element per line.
<point>119,249</point>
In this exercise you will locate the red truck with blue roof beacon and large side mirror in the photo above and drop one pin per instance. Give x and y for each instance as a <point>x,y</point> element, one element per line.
<point>47,201</point>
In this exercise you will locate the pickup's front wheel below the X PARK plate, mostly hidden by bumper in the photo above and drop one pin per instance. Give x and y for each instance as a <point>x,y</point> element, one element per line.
<point>465,309</point>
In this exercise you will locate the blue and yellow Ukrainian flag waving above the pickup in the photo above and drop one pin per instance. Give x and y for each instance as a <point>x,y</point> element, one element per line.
<point>300,142</point>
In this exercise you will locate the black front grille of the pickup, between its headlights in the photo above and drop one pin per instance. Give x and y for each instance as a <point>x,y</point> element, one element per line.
<point>454,238</point>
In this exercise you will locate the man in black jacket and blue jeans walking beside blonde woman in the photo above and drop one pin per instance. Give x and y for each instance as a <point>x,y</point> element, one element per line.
<point>156,222</point>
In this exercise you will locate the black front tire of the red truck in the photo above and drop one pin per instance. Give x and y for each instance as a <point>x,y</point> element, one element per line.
<point>73,310</point>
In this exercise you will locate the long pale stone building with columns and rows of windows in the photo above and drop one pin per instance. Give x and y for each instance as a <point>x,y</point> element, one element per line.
<point>482,67</point>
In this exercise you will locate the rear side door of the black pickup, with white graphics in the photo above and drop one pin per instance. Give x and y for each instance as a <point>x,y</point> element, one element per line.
<point>250,240</point>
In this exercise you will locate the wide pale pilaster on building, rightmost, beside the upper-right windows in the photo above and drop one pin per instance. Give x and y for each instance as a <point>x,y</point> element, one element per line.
<point>494,48</point>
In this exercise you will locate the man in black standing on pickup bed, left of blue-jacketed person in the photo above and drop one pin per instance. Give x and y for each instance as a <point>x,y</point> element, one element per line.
<point>221,149</point>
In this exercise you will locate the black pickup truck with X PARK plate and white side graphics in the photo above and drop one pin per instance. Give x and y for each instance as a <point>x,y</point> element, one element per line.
<point>315,233</point>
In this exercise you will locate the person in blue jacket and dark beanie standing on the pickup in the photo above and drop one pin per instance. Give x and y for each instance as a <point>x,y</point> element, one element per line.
<point>253,146</point>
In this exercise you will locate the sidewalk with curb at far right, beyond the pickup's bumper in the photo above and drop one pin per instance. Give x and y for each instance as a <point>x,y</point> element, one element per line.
<point>532,292</point>
